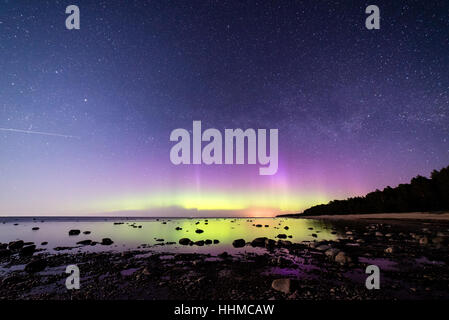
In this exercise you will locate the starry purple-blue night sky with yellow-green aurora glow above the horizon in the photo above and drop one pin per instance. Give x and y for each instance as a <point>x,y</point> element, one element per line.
<point>356,109</point>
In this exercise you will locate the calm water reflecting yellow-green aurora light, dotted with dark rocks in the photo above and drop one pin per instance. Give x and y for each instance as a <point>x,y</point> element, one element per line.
<point>125,236</point>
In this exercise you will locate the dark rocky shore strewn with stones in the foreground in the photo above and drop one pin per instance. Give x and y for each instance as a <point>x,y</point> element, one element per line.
<point>412,256</point>
